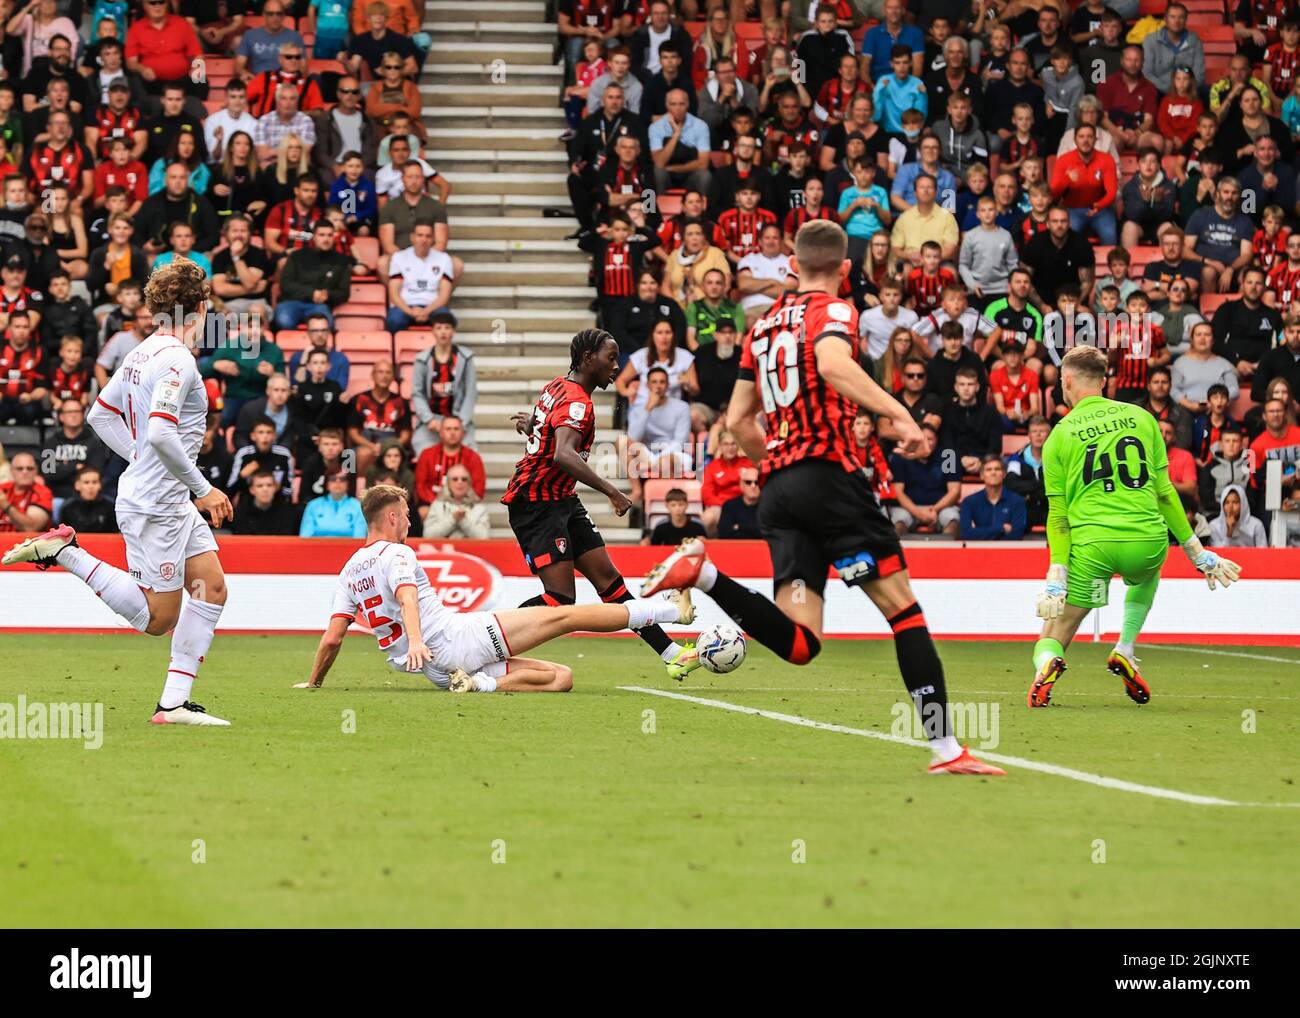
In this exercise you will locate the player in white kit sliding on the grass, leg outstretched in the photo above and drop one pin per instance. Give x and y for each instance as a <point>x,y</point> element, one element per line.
<point>462,652</point>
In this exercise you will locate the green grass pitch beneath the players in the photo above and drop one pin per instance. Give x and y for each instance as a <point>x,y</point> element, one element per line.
<point>603,824</point>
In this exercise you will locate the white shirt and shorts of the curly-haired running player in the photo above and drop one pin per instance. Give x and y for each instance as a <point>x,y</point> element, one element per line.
<point>162,527</point>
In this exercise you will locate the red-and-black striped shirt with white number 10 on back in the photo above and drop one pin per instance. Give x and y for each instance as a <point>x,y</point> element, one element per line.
<point>807,419</point>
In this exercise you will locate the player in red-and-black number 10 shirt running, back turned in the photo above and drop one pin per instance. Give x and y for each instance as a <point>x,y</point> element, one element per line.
<point>820,505</point>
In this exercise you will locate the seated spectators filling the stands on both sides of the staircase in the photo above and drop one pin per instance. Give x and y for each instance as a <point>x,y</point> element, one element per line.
<point>1008,174</point>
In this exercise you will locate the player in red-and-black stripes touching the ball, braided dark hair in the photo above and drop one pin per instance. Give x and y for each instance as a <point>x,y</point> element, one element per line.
<point>553,529</point>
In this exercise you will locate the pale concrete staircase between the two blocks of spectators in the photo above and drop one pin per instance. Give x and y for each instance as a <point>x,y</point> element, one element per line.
<point>492,110</point>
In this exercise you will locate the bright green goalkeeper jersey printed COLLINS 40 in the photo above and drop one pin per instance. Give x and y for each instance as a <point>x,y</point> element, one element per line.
<point>1104,461</point>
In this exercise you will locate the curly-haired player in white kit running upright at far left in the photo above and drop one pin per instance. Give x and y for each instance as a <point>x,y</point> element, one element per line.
<point>154,413</point>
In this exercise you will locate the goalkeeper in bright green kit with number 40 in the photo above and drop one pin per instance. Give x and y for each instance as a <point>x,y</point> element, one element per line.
<point>1111,502</point>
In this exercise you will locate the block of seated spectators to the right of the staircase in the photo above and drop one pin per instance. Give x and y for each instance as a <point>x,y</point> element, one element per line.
<point>1013,177</point>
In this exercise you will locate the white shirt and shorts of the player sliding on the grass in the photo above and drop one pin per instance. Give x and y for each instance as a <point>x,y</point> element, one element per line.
<point>457,640</point>
